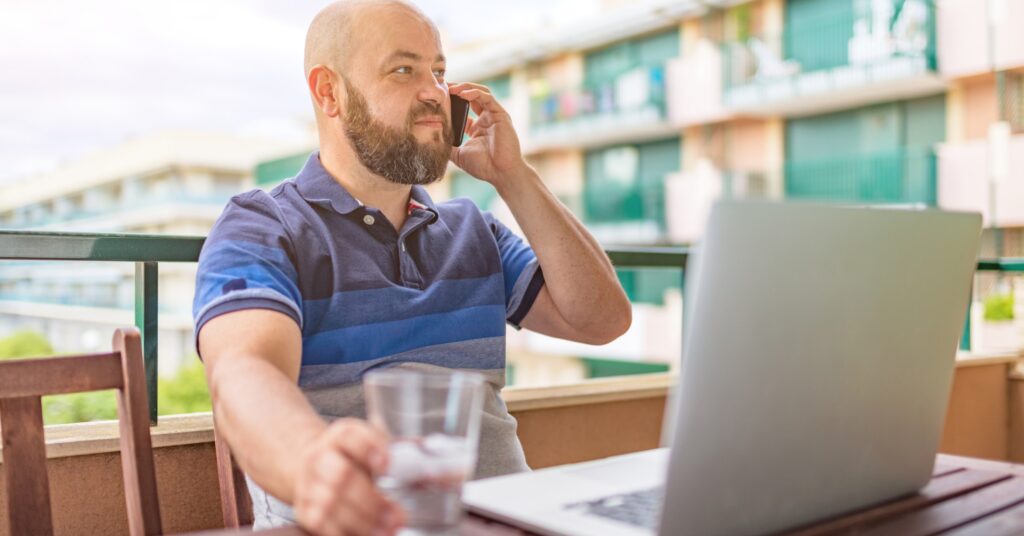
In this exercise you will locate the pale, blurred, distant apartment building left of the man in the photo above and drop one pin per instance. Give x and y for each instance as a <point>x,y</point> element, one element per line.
<point>174,183</point>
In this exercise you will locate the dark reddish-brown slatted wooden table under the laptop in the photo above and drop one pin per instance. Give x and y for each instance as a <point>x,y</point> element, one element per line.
<point>966,498</point>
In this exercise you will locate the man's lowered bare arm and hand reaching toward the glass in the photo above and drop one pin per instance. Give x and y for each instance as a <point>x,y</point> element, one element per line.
<point>325,471</point>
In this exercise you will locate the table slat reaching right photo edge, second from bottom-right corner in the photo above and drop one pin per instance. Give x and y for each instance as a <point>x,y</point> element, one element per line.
<point>955,513</point>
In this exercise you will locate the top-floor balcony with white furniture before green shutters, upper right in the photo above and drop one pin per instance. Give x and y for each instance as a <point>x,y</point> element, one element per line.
<point>850,55</point>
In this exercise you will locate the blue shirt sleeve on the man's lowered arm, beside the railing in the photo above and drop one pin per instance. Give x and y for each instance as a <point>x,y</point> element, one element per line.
<point>247,263</point>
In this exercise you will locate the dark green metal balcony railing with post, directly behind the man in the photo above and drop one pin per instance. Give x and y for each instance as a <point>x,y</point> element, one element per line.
<point>148,252</point>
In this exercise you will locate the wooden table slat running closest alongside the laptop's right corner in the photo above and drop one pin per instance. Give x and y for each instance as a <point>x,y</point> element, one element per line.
<point>945,487</point>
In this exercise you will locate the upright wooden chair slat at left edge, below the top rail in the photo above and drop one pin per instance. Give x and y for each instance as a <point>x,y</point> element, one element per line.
<point>25,464</point>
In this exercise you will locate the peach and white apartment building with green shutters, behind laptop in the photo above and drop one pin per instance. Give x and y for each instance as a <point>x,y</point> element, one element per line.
<point>641,116</point>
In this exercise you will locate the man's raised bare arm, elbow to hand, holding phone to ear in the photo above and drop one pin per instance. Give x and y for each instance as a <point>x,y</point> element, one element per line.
<point>582,299</point>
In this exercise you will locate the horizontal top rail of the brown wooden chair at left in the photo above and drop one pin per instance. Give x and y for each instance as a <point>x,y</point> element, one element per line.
<point>35,378</point>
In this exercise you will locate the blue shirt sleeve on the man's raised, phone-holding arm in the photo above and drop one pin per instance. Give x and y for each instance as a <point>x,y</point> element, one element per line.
<point>524,278</point>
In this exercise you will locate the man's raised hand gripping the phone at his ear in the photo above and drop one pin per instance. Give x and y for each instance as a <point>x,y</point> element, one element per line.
<point>492,153</point>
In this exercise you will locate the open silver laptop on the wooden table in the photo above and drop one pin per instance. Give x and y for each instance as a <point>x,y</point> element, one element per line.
<point>819,353</point>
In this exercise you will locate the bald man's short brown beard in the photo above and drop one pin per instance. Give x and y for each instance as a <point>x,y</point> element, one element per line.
<point>394,154</point>
